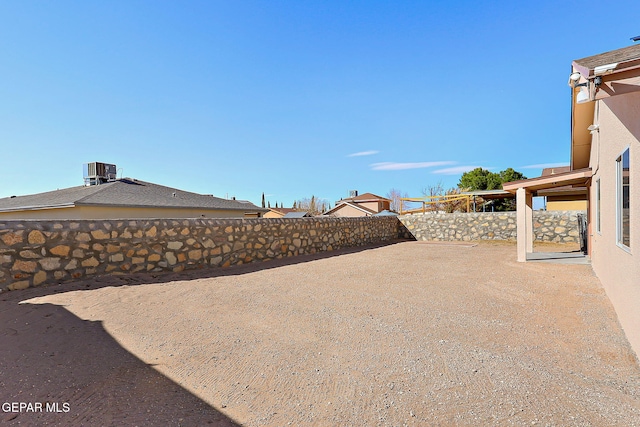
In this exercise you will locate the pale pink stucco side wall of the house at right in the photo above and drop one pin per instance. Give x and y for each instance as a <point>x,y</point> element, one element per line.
<point>617,268</point>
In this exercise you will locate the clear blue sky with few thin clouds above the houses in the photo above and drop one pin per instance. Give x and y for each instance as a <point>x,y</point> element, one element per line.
<point>291,98</point>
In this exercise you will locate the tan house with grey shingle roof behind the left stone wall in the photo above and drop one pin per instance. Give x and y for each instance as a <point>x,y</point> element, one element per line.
<point>123,198</point>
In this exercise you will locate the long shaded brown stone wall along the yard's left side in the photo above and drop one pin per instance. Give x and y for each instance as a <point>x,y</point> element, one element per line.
<point>36,252</point>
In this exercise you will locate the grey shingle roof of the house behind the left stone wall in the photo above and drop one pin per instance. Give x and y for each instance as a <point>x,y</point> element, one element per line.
<point>124,192</point>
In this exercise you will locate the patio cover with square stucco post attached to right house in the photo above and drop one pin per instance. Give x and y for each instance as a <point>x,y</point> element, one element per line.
<point>525,190</point>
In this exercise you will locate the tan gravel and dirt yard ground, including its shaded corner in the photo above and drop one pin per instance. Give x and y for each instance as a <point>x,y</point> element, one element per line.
<point>405,334</point>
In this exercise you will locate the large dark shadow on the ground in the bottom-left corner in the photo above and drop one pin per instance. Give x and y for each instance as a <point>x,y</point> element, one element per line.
<point>81,376</point>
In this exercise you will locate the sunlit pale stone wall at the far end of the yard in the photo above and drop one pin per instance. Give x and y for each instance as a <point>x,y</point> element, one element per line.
<point>548,226</point>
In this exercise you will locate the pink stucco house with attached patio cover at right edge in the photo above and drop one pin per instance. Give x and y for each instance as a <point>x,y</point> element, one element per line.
<point>605,159</point>
